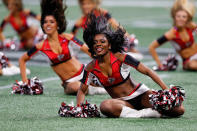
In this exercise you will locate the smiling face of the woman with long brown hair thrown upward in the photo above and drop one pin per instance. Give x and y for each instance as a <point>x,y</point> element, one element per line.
<point>50,25</point>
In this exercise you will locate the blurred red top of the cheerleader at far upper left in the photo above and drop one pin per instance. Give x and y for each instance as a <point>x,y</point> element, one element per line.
<point>19,28</point>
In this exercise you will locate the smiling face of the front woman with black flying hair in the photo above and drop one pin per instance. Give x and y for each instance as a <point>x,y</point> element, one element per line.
<point>101,45</point>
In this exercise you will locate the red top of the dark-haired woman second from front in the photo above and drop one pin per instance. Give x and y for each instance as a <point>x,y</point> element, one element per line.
<point>54,57</point>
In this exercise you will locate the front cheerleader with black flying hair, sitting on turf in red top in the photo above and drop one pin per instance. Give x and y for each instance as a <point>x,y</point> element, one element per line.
<point>111,70</point>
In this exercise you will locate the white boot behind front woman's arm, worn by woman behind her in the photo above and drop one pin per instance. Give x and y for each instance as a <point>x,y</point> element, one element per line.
<point>96,90</point>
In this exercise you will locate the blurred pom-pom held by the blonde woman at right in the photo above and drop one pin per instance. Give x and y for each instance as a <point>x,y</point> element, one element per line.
<point>169,64</point>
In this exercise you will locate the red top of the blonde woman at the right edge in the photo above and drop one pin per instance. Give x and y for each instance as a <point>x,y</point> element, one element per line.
<point>179,43</point>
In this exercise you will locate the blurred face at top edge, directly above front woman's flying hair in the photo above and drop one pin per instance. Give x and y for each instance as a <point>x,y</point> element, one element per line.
<point>87,6</point>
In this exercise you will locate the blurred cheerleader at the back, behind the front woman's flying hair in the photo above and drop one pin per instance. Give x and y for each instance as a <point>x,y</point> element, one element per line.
<point>88,6</point>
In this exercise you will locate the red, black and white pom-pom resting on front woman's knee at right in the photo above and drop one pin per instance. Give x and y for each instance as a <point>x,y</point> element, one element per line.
<point>164,100</point>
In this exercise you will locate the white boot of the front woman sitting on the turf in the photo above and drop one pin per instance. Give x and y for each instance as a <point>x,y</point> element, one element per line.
<point>128,112</point>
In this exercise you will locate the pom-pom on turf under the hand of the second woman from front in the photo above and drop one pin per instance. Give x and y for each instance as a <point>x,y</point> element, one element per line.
<point>34,87</point>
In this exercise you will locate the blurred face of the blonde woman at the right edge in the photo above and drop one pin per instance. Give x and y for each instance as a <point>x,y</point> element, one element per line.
<point>181,18</point>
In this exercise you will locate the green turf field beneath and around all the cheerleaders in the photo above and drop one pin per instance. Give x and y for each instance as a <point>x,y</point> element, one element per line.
<point>22,113</point>
